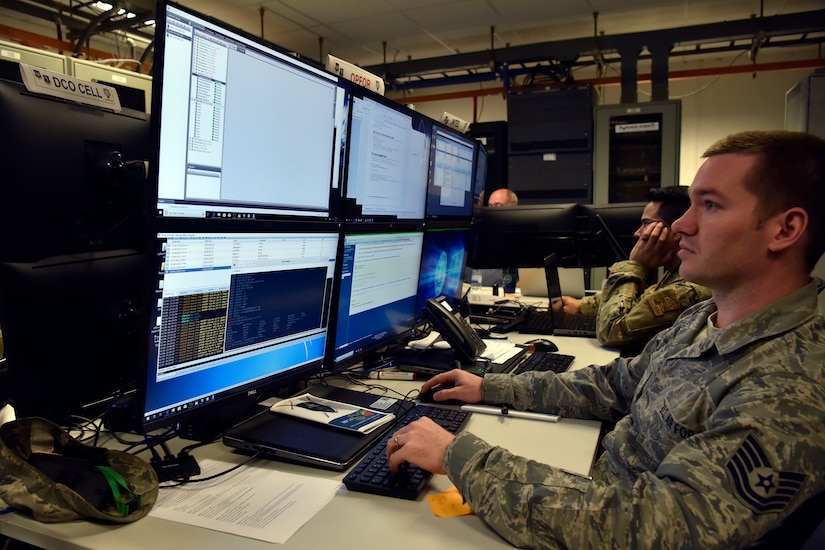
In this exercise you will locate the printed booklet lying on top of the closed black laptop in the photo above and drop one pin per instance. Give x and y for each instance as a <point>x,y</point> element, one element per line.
<point>332,413</point>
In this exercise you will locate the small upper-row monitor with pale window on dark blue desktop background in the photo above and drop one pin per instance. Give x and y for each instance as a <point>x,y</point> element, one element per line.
<point>450,188</point>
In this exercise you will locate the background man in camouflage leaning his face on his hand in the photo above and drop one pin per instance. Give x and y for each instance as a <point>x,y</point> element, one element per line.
<point>628,312</point>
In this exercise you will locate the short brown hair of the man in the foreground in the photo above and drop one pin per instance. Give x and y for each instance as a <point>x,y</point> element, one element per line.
<point>789,172</point>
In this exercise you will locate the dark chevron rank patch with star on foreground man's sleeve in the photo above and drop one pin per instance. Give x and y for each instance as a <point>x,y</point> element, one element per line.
<point>756,483</point>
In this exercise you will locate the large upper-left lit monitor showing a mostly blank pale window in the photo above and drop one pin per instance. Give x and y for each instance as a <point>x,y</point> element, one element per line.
<point>245,130</point>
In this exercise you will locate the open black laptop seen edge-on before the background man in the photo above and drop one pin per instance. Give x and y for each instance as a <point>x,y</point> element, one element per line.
<point>556,321</point>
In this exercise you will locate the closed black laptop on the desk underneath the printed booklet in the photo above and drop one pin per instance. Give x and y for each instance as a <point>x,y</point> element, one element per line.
<point>293,439</point>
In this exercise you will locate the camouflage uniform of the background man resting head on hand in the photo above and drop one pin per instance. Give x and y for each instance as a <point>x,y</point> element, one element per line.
<point>629,314</point>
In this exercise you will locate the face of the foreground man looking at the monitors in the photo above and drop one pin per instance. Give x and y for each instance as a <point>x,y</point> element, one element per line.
<point>721,242</point>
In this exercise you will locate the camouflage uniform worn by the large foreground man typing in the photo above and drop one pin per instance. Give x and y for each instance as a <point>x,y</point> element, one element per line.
<point>717,440</point>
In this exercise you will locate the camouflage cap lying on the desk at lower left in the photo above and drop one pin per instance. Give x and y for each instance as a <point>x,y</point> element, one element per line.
<point>26,488</point>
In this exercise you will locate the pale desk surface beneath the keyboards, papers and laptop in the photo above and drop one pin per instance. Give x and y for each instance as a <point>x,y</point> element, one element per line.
<point>352,520</point>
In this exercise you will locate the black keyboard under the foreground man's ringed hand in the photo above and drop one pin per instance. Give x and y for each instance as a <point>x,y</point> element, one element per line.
<point>372,475</point>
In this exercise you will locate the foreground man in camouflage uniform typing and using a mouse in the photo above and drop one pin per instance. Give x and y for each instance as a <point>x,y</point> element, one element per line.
<point>719,421</point>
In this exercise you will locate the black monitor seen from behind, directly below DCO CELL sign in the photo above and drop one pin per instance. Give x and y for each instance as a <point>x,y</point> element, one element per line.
<point>73,175</point>
